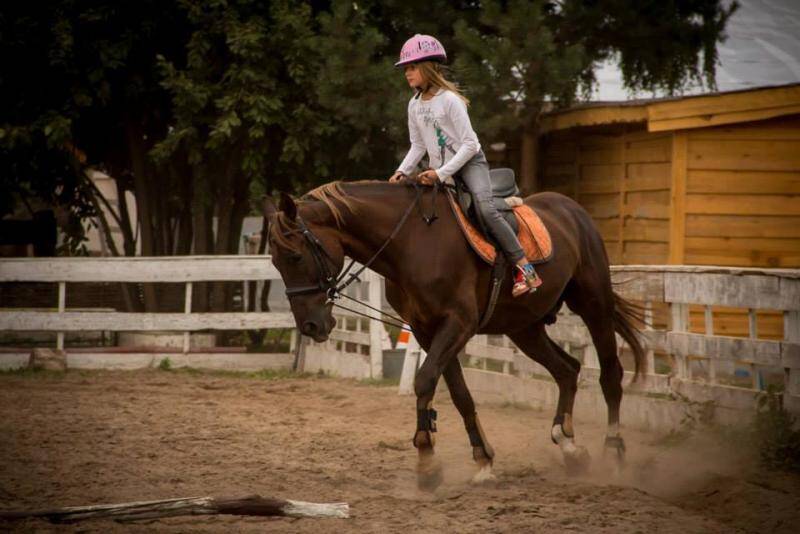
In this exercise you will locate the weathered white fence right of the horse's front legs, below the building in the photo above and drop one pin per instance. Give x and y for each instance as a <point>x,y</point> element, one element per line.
<point>680,287</point>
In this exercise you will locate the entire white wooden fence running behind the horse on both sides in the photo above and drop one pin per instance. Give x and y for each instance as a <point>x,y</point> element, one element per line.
<point>355,346</point>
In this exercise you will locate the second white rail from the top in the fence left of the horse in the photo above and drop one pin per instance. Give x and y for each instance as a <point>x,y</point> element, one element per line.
<point>141,322</point>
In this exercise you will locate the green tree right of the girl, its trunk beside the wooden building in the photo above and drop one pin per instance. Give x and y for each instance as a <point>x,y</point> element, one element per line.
<point>525,54</point>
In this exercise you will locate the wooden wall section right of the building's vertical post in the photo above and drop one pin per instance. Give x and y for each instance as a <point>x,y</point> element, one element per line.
<point>742,204</point>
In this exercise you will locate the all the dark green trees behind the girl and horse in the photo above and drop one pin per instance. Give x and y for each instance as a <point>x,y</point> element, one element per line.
<point>197,106</point>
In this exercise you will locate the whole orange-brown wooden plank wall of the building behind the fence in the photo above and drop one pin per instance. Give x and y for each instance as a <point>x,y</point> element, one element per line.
<point>727,195</point>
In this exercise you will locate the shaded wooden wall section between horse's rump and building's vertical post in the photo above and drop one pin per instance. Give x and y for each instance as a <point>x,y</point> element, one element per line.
<point>622,177</point>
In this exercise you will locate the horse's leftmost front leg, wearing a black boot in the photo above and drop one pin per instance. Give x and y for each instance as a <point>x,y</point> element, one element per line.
<point>451,336</point>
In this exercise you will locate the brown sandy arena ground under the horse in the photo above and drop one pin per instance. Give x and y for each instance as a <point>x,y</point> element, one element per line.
<point>103,437</point>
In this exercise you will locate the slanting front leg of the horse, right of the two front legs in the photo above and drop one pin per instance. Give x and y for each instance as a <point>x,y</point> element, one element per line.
<point>482,452</point>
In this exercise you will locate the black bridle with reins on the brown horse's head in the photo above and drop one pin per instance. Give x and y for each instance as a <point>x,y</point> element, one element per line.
<point>327,282</point>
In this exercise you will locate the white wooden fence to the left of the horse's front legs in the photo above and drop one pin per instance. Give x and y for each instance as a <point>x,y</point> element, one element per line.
<point>345,339</point>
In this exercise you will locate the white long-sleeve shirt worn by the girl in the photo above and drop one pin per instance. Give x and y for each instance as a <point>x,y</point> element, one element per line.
<point>441,127</point>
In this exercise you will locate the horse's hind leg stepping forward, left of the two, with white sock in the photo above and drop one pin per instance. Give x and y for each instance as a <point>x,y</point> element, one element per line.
<point>538,346</point>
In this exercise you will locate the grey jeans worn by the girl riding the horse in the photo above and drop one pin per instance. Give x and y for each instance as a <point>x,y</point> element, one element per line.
<point>475,173</point>
